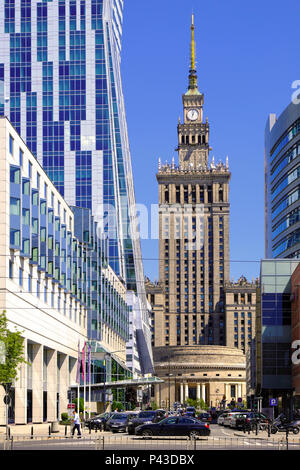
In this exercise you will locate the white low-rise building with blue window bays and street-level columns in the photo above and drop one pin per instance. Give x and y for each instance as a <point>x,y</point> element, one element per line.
<point>55,286</point>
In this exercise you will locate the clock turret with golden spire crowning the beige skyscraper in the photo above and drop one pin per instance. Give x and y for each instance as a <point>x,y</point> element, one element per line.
<point>193,134</point>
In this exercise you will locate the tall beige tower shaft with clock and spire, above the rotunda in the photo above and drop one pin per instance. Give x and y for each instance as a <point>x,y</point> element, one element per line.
<point>193,232</point>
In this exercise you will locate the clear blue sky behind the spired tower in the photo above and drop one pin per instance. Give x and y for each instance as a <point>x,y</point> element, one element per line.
<point>247,59</point>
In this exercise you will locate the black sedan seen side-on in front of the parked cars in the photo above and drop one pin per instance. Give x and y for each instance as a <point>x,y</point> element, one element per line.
<point>174,426</point>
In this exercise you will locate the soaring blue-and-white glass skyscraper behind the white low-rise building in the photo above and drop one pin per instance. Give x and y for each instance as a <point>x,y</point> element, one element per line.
<point>60,86</point>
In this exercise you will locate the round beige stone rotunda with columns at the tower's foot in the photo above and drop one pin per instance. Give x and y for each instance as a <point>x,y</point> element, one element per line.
<point>207,372</point>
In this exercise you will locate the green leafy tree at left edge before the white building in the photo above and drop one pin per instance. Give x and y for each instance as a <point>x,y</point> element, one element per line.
<point>13,345</point>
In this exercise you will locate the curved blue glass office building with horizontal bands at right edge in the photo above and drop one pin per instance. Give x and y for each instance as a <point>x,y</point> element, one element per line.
<point>282,184</point>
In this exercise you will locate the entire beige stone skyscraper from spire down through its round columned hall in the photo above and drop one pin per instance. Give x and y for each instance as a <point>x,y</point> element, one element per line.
<point>188,302</point>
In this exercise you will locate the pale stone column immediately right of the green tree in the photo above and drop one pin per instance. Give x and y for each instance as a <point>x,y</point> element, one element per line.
<point>37,383</point>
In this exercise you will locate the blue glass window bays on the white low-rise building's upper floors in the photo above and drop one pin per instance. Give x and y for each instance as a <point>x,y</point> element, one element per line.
<point>75,261</point>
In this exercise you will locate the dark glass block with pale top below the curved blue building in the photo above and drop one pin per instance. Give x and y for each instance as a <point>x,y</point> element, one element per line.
<point>274,333</point>
